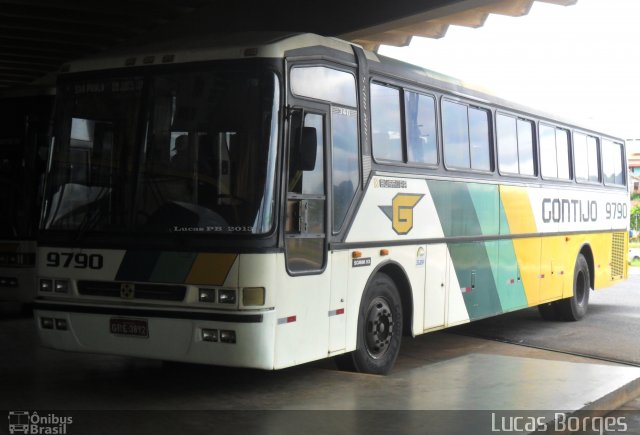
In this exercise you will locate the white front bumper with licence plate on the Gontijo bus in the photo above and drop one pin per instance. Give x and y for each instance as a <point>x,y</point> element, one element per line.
<point>233,339</point>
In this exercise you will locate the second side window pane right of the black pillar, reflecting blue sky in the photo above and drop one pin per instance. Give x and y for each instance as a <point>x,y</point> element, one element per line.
<point>420,124</point>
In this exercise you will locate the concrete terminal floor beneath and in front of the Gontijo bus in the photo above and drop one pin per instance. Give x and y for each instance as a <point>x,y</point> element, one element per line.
<point>439,371</point>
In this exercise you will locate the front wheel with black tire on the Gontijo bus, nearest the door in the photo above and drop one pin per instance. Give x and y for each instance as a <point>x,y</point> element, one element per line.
<point>379,329</point>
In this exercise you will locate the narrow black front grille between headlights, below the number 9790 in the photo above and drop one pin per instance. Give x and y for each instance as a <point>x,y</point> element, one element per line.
<point>118,290</point>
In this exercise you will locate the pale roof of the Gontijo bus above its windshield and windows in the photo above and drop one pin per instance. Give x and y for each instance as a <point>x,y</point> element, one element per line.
<point>276,45</point>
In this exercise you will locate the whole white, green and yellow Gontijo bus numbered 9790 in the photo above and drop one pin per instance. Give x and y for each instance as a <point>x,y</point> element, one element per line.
<point>268,202</point>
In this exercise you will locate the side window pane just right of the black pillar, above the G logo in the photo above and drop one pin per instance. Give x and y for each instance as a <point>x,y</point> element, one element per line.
<point>385,123</point>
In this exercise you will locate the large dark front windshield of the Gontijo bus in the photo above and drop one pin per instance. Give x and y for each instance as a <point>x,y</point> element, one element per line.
<point>183,152</point>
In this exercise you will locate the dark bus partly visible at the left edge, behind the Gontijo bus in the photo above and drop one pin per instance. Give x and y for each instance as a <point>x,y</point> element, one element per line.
<point>25,116</point>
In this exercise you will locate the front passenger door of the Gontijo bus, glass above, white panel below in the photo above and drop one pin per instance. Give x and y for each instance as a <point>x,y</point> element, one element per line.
<point>304,290</point>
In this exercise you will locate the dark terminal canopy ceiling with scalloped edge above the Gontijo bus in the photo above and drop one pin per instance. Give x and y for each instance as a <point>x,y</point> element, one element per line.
<point>38,36</point>
